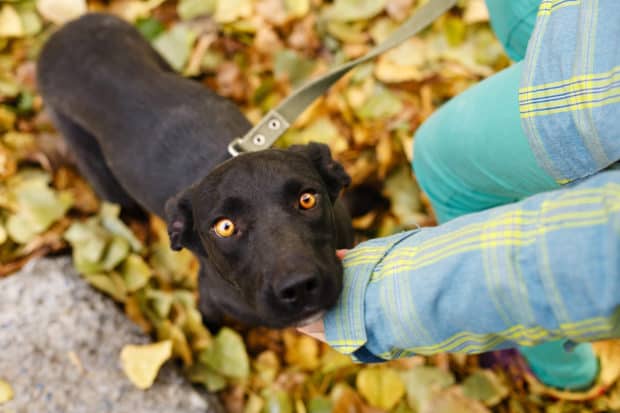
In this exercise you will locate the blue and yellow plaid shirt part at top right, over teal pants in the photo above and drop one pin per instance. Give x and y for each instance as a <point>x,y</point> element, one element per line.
<point>570,91</point>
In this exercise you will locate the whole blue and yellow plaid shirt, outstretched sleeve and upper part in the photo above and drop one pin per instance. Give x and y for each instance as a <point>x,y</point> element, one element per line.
<point>542,269</point>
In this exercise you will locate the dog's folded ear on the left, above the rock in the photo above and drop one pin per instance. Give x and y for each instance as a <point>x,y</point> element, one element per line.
<point>180,221</point>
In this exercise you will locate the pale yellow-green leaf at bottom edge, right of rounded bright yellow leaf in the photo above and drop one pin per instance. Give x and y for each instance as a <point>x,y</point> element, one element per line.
<point>423,382</point>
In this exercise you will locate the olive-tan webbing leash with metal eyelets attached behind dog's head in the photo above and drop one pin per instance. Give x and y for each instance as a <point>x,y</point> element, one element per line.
<point>278,120</point>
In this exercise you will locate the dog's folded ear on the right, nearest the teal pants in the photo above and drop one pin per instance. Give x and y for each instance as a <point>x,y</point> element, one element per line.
<point>333,174</point>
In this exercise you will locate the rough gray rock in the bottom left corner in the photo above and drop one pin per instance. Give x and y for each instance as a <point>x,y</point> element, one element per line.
<point>60,342</point>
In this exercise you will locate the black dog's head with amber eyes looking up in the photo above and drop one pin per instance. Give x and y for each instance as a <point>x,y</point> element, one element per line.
<point>264,223</point>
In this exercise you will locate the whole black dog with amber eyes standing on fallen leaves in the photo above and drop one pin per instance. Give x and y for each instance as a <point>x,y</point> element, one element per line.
<point>264,225</point>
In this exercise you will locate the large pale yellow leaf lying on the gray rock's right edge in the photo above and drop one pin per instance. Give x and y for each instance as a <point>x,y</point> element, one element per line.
<point>141,363</point>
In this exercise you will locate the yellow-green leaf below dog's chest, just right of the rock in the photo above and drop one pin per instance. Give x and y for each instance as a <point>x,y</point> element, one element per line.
<point>227,355</point>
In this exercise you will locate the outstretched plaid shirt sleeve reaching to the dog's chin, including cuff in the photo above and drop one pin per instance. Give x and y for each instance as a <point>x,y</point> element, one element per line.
<point>545,268</point>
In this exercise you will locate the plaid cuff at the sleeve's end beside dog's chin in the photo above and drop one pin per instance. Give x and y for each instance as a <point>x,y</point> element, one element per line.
<point>345,326</point>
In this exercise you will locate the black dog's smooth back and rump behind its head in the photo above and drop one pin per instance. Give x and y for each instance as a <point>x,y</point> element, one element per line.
<point>98,74</point>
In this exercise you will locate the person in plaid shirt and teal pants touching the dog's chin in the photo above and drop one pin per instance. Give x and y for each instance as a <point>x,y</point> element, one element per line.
<point>521,171</point>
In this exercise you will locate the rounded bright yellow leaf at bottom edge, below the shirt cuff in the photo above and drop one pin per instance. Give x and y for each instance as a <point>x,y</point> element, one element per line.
<point>382,387</point>
